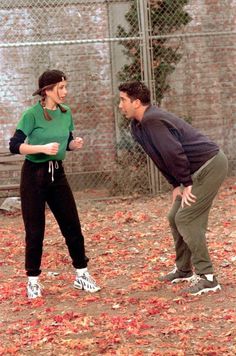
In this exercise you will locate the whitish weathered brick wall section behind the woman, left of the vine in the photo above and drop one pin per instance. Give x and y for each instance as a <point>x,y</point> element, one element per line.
<point>87,66</point>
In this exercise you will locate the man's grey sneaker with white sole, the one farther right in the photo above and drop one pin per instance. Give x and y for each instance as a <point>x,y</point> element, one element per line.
<point>202,285</point>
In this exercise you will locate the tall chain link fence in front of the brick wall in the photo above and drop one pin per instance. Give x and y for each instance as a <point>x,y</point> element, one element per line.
<point>183,50</point>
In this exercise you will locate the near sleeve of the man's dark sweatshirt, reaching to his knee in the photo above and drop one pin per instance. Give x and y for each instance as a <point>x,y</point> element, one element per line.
<point>167,145</point>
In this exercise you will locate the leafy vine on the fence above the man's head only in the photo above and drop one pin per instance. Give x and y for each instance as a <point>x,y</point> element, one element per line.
<point>167,16</point>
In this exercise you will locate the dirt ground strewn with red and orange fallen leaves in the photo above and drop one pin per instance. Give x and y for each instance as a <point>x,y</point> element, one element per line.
<point>129,245</point>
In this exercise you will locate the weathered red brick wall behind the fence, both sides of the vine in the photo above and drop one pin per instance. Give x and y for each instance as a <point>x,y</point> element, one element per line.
<point>202,86</point>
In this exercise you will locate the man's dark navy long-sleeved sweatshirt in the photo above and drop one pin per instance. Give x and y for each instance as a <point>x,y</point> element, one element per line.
<point>176,148</point>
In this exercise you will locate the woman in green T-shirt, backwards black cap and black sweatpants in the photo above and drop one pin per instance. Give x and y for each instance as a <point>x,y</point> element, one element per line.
<point>48,127</point>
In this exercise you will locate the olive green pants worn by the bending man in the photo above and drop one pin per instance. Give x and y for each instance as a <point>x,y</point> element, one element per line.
<point>188,225</point>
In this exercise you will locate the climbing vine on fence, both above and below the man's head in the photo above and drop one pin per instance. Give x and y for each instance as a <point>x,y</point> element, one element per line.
<point>167,16</point>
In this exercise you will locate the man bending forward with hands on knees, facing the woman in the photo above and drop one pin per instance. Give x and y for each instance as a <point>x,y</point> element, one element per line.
<point>194,166</point>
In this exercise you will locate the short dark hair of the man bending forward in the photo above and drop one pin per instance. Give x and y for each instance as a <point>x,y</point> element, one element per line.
<point>136,90</point>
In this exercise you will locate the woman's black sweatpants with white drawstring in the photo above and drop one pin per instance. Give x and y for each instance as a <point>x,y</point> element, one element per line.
<point>41,185</point>
